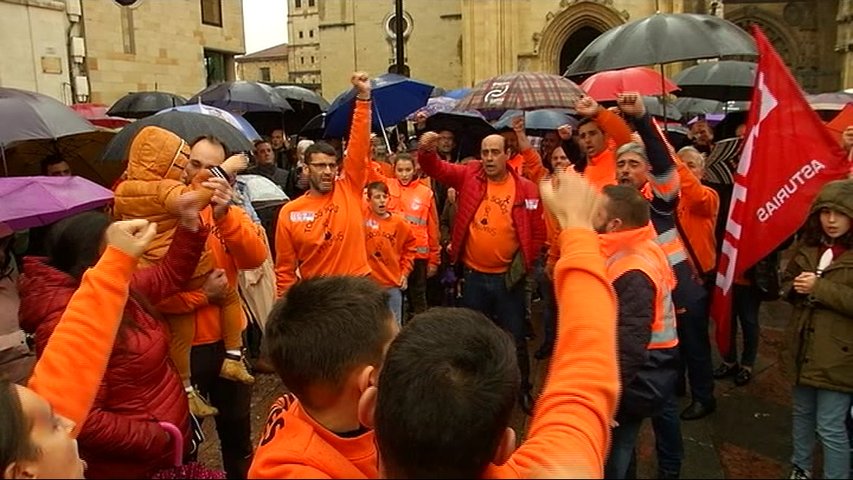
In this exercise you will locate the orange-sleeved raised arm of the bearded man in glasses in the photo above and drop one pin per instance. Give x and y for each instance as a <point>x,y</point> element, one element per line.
<point>357,159</point>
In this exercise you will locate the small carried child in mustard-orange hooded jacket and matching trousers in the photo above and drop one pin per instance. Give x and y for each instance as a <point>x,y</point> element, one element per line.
<point>153,181</point>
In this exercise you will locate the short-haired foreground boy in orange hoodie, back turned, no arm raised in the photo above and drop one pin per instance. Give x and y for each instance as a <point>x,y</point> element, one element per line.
<point>327,339</point>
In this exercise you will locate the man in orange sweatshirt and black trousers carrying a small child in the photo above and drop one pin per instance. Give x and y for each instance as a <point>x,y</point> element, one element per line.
<point>236,243</point>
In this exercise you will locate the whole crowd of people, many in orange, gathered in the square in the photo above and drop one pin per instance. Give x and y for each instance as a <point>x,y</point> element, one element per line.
<point>402,282</point>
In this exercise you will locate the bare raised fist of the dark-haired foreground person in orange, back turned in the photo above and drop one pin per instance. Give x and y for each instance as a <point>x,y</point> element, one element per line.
<point>570,198</point>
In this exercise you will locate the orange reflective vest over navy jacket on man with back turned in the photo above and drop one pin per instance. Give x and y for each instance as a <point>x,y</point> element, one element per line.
<point>644,257</point>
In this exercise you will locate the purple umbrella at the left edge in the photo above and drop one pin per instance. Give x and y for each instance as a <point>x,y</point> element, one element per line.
<point>35,201</point>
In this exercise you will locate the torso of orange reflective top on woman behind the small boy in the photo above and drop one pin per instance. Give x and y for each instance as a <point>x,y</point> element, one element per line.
<point>413,203</point>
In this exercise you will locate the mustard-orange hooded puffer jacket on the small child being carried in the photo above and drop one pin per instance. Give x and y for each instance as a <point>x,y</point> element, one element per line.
<point>152,184</point>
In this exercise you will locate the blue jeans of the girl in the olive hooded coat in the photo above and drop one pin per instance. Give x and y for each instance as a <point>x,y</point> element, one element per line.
<point>823,412</point>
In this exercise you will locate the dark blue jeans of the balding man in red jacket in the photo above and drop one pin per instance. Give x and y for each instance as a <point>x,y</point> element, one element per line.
<point>487,293</point>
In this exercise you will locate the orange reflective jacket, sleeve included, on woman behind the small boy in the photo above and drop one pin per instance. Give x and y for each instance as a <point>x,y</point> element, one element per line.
<point>415,202</point>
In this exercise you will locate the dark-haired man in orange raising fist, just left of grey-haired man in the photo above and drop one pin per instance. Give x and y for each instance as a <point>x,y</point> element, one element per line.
<point>601,133</point>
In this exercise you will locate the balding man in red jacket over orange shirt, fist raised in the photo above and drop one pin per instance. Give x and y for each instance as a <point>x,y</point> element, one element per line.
<point>497,234</point>
